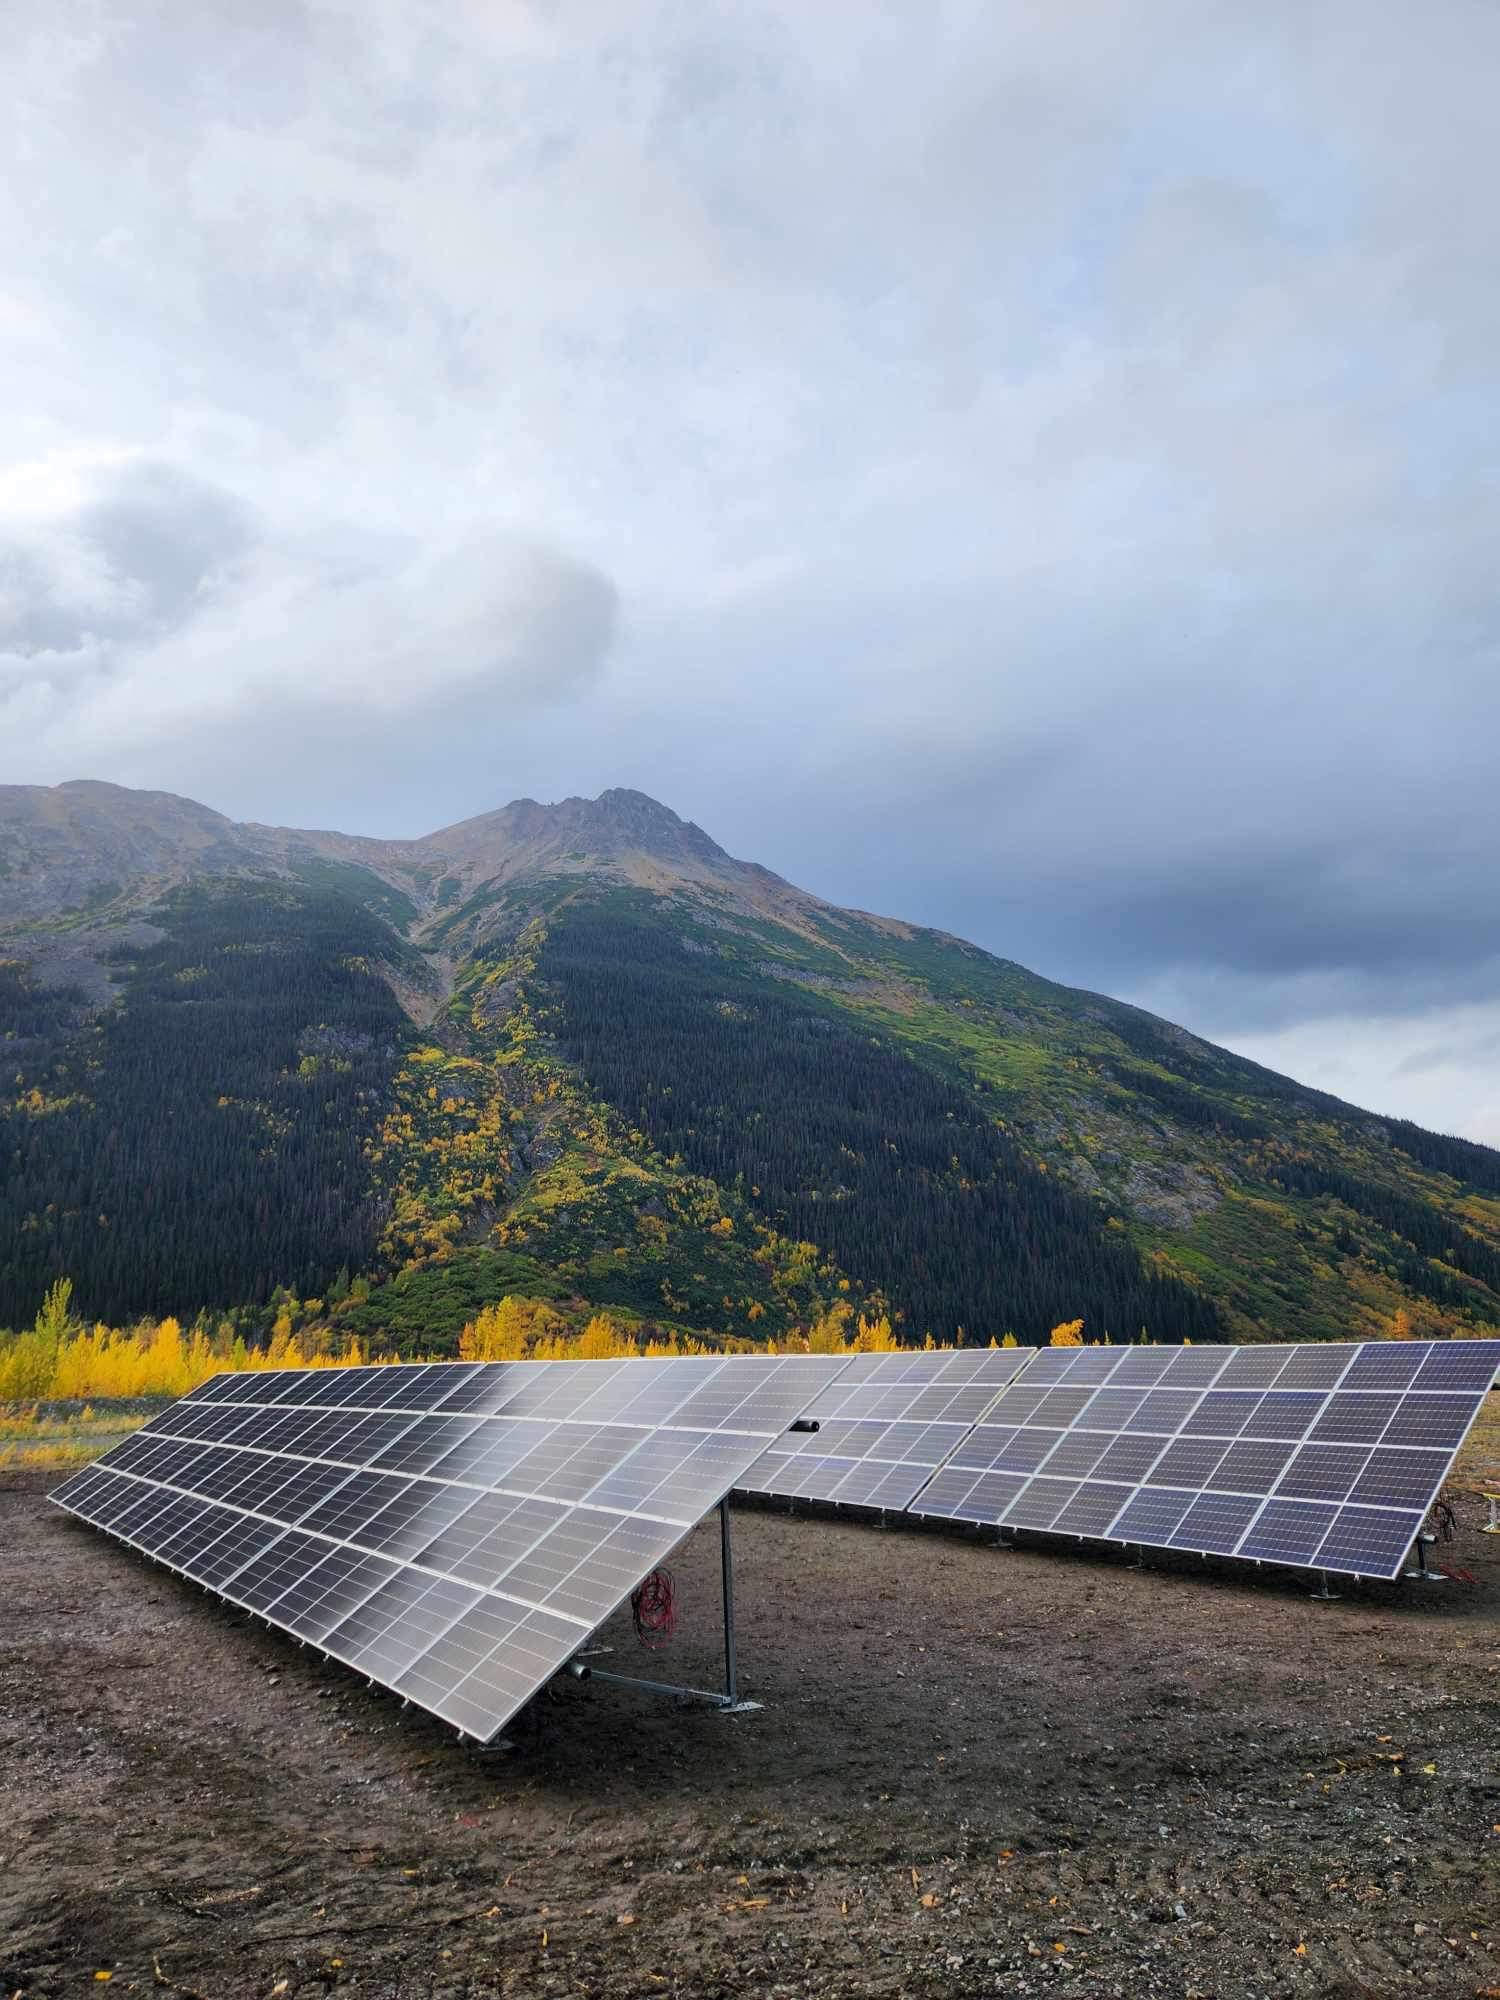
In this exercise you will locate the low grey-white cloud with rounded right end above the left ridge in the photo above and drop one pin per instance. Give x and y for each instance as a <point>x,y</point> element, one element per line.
<point>149,615</point>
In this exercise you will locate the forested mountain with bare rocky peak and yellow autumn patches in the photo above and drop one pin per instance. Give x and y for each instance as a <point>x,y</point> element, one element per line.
<point>581,1053</point>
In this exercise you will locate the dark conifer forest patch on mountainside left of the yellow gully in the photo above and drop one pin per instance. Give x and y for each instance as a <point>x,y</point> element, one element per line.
<point>203,1141</point>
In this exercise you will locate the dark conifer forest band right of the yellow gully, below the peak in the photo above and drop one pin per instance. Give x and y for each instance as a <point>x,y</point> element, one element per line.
<point>843,1139</point>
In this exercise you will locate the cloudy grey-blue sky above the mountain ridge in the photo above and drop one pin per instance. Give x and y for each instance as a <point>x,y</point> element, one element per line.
<point>1033,471</point>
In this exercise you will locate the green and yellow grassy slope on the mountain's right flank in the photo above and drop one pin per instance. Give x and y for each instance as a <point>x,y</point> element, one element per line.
<point>1185,1145</point>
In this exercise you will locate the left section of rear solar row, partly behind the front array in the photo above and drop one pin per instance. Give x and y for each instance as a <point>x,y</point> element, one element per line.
<point>885,1427</point>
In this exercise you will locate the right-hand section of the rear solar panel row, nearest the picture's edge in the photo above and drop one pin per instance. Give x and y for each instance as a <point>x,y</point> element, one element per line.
<point>1325,1455</point>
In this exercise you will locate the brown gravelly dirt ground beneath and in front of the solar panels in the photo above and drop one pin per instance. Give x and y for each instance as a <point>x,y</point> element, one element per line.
<point>977,1773</point>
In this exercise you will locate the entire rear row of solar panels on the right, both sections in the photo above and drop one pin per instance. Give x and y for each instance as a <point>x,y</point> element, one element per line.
<point>1325,1457</point>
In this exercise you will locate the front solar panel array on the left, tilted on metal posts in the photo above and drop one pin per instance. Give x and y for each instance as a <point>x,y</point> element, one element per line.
<point>453,1531</point>
